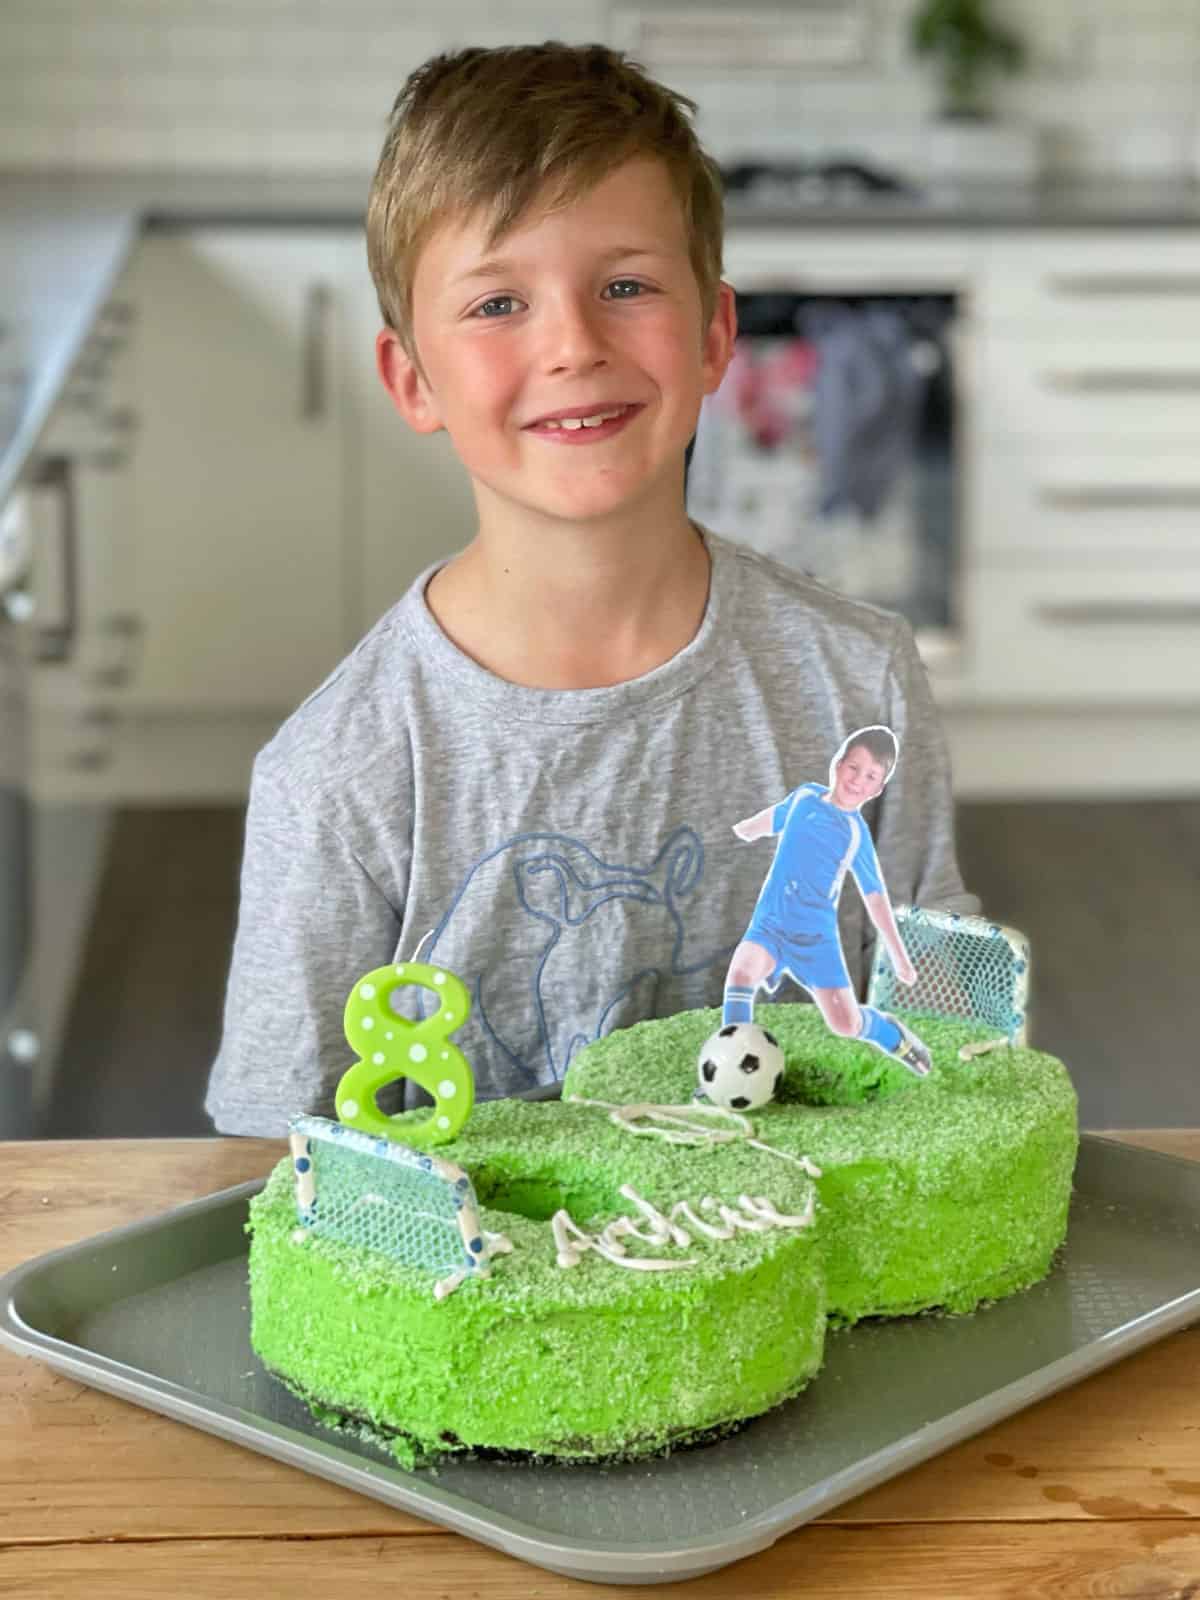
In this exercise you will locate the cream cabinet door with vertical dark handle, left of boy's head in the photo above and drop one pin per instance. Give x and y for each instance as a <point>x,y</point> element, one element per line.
<point>242,489</point>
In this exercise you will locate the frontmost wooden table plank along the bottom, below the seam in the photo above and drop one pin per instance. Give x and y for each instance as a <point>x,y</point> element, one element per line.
<point>1146,1561</point>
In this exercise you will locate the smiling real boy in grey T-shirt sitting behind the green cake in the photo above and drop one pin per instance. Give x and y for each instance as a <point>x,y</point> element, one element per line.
<point>529,766</point>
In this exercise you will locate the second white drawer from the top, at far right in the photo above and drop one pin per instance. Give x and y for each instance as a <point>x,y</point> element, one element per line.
<point>1098,393</point>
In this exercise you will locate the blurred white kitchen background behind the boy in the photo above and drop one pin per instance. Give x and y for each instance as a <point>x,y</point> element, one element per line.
<point>185,362</point>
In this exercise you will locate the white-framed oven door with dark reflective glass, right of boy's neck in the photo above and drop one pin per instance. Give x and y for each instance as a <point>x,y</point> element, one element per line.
<point>836,441</point>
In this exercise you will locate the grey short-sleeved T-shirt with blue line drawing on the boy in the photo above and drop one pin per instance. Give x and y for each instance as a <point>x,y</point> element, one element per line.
<point>569,854</point>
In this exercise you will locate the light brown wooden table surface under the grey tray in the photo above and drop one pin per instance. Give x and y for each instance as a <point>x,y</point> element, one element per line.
<point>1095,1492</point>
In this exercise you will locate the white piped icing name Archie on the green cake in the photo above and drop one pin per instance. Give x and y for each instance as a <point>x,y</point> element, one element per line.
<point>751,1215</point>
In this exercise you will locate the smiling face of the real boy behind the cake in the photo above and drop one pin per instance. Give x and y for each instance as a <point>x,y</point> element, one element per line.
<point>591,311</point>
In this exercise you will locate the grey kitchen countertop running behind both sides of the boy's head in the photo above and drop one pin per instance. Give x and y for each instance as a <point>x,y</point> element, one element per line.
<point>66,238</point>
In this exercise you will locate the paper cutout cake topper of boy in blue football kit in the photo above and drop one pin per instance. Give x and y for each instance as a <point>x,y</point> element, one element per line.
<point>820,838</point>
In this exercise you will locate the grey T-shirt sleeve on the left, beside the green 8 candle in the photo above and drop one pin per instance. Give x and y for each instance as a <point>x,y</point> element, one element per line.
<point>311,921</point>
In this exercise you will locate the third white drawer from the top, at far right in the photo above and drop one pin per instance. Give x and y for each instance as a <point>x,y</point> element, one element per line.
<point>1042,500</point>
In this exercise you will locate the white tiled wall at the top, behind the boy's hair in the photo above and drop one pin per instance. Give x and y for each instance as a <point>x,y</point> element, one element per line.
<point>305,86</point>
